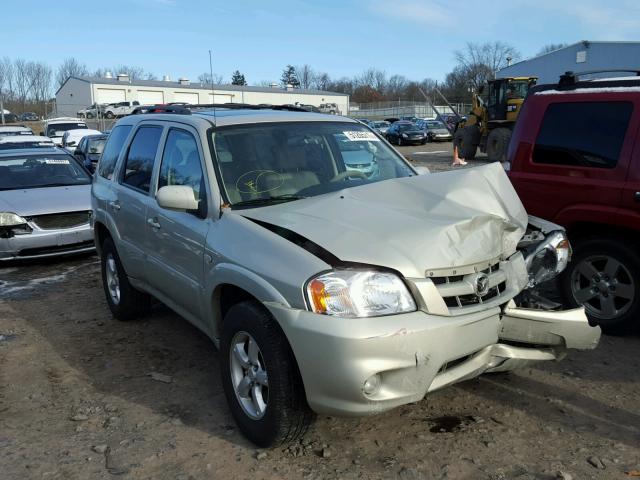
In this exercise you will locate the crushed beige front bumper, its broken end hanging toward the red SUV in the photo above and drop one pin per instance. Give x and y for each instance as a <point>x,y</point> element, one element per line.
<point>416,353</point>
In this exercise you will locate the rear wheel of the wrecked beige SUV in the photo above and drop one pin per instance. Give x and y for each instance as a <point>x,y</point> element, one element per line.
<point>125,302</point>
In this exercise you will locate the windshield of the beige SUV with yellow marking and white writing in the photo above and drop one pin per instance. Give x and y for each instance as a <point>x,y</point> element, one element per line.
<point>286,161</point>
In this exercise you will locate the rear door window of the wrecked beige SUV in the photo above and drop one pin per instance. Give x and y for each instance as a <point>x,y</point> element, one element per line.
<point>139,162</point>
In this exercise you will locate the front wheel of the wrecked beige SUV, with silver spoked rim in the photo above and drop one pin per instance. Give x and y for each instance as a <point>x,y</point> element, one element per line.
<point>284,415</point>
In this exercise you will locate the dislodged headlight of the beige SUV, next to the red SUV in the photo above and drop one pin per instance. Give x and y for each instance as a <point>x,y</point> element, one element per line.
<point>549,258</point>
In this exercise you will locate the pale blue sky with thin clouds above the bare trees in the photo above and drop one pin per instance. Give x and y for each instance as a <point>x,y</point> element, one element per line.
<point>415,38</point>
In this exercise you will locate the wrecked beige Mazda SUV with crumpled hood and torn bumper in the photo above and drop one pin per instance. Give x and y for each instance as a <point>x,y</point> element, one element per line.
<point>326,289</point>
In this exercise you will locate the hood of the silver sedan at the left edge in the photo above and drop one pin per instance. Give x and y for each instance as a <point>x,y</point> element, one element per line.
<point>41,201</point>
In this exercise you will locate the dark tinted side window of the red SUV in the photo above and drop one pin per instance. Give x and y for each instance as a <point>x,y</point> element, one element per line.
<point>583,134</point>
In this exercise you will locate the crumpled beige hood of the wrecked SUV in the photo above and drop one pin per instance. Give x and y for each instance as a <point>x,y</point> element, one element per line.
<point>411,224</point>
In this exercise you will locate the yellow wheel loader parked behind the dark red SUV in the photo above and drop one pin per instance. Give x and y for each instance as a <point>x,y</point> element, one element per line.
<point>490,123</point>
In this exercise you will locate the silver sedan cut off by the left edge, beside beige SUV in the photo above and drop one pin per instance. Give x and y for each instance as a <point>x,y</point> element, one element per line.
<point>45,205</point>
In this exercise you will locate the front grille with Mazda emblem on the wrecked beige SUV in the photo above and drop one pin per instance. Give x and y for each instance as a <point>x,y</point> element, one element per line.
<point>459,292</point>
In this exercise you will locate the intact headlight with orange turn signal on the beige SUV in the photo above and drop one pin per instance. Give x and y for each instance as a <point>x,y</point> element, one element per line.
<point>358,293</point>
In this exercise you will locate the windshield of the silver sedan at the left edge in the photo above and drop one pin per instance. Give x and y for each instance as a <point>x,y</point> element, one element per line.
<point>39,171</point>
